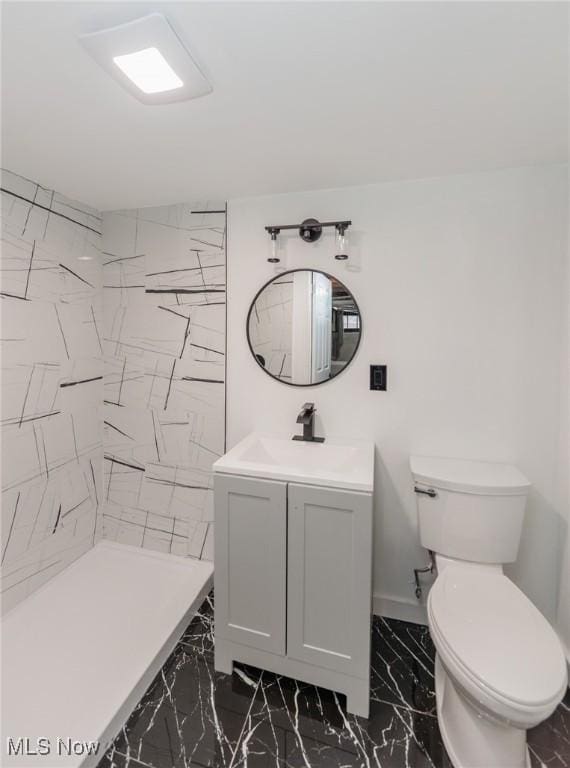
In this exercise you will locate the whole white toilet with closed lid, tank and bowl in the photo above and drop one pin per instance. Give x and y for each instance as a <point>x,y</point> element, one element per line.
<point>500,668</point>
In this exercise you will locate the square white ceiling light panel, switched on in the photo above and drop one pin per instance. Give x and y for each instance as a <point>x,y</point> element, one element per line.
<point>148,59</point>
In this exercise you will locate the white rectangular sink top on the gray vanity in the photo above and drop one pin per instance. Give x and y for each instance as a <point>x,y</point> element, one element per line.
<point>335,463</point>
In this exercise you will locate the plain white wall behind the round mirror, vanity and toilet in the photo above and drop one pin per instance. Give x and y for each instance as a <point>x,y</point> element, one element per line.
<point>459,281</point>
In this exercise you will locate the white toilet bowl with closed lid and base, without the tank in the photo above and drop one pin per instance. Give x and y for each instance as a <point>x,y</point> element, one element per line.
<point>500,668</point>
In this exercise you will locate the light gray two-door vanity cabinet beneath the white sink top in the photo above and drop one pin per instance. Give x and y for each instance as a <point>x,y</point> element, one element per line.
<point>293,582</point>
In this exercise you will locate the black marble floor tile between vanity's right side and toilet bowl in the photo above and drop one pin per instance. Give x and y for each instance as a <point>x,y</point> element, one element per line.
<point>402,665</point>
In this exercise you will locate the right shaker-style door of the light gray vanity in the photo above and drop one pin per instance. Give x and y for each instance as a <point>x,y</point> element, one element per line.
<point>329,578</point>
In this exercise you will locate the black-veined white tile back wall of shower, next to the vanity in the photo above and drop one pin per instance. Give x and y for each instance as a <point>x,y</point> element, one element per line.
<point>164,386</point>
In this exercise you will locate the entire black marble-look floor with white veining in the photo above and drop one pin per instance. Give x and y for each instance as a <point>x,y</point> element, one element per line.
<point>193,716</point>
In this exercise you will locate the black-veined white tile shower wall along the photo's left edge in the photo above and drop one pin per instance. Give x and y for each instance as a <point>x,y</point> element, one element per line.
<point>52,370</point>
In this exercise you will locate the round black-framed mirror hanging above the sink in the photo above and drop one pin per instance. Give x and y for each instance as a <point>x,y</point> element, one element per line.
<point>303,327</point>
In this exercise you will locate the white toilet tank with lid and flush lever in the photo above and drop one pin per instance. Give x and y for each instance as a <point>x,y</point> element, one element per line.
<point>469,510</point>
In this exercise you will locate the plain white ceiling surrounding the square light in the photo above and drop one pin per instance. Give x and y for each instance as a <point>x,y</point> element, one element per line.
<point>306,96</point>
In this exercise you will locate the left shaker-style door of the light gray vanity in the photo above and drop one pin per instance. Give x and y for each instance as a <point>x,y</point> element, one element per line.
<point>250,540</point>
